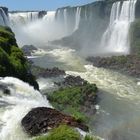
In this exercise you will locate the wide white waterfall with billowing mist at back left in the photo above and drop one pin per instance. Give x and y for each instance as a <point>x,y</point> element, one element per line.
<point>36,32</point>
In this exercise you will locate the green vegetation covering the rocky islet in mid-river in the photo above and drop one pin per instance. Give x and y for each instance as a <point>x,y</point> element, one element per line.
<point>71,100</point>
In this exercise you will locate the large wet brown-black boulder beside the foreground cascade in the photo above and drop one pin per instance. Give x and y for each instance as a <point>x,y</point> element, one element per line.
<point>40,120</point>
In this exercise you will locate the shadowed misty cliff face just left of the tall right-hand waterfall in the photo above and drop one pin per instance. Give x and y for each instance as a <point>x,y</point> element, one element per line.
<point>94,19</point>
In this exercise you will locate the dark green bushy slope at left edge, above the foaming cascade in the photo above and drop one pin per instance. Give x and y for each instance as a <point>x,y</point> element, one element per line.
<point>12,61</point>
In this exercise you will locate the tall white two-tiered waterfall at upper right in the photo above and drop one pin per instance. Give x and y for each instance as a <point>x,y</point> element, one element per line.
<point>116,37</point>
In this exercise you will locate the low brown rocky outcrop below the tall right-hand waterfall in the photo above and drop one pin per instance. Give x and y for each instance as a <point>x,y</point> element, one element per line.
<point>129,64</point>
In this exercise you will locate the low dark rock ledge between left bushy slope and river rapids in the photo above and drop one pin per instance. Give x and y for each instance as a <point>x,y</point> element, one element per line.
<point>46,73</point>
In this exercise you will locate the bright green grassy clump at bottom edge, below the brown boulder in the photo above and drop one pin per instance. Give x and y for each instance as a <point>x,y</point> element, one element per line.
<point>63,132</point>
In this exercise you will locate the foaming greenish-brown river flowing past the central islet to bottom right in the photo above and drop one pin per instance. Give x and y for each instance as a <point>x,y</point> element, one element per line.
<point>119,106</point>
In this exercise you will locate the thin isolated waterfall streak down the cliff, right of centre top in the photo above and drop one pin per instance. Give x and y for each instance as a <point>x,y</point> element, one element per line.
<point>77,18</point>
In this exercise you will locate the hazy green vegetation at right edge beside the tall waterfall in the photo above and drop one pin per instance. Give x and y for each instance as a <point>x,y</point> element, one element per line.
<point>135,37</point>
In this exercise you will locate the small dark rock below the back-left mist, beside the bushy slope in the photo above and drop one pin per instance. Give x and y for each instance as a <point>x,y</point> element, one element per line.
<point>28,49</point>
